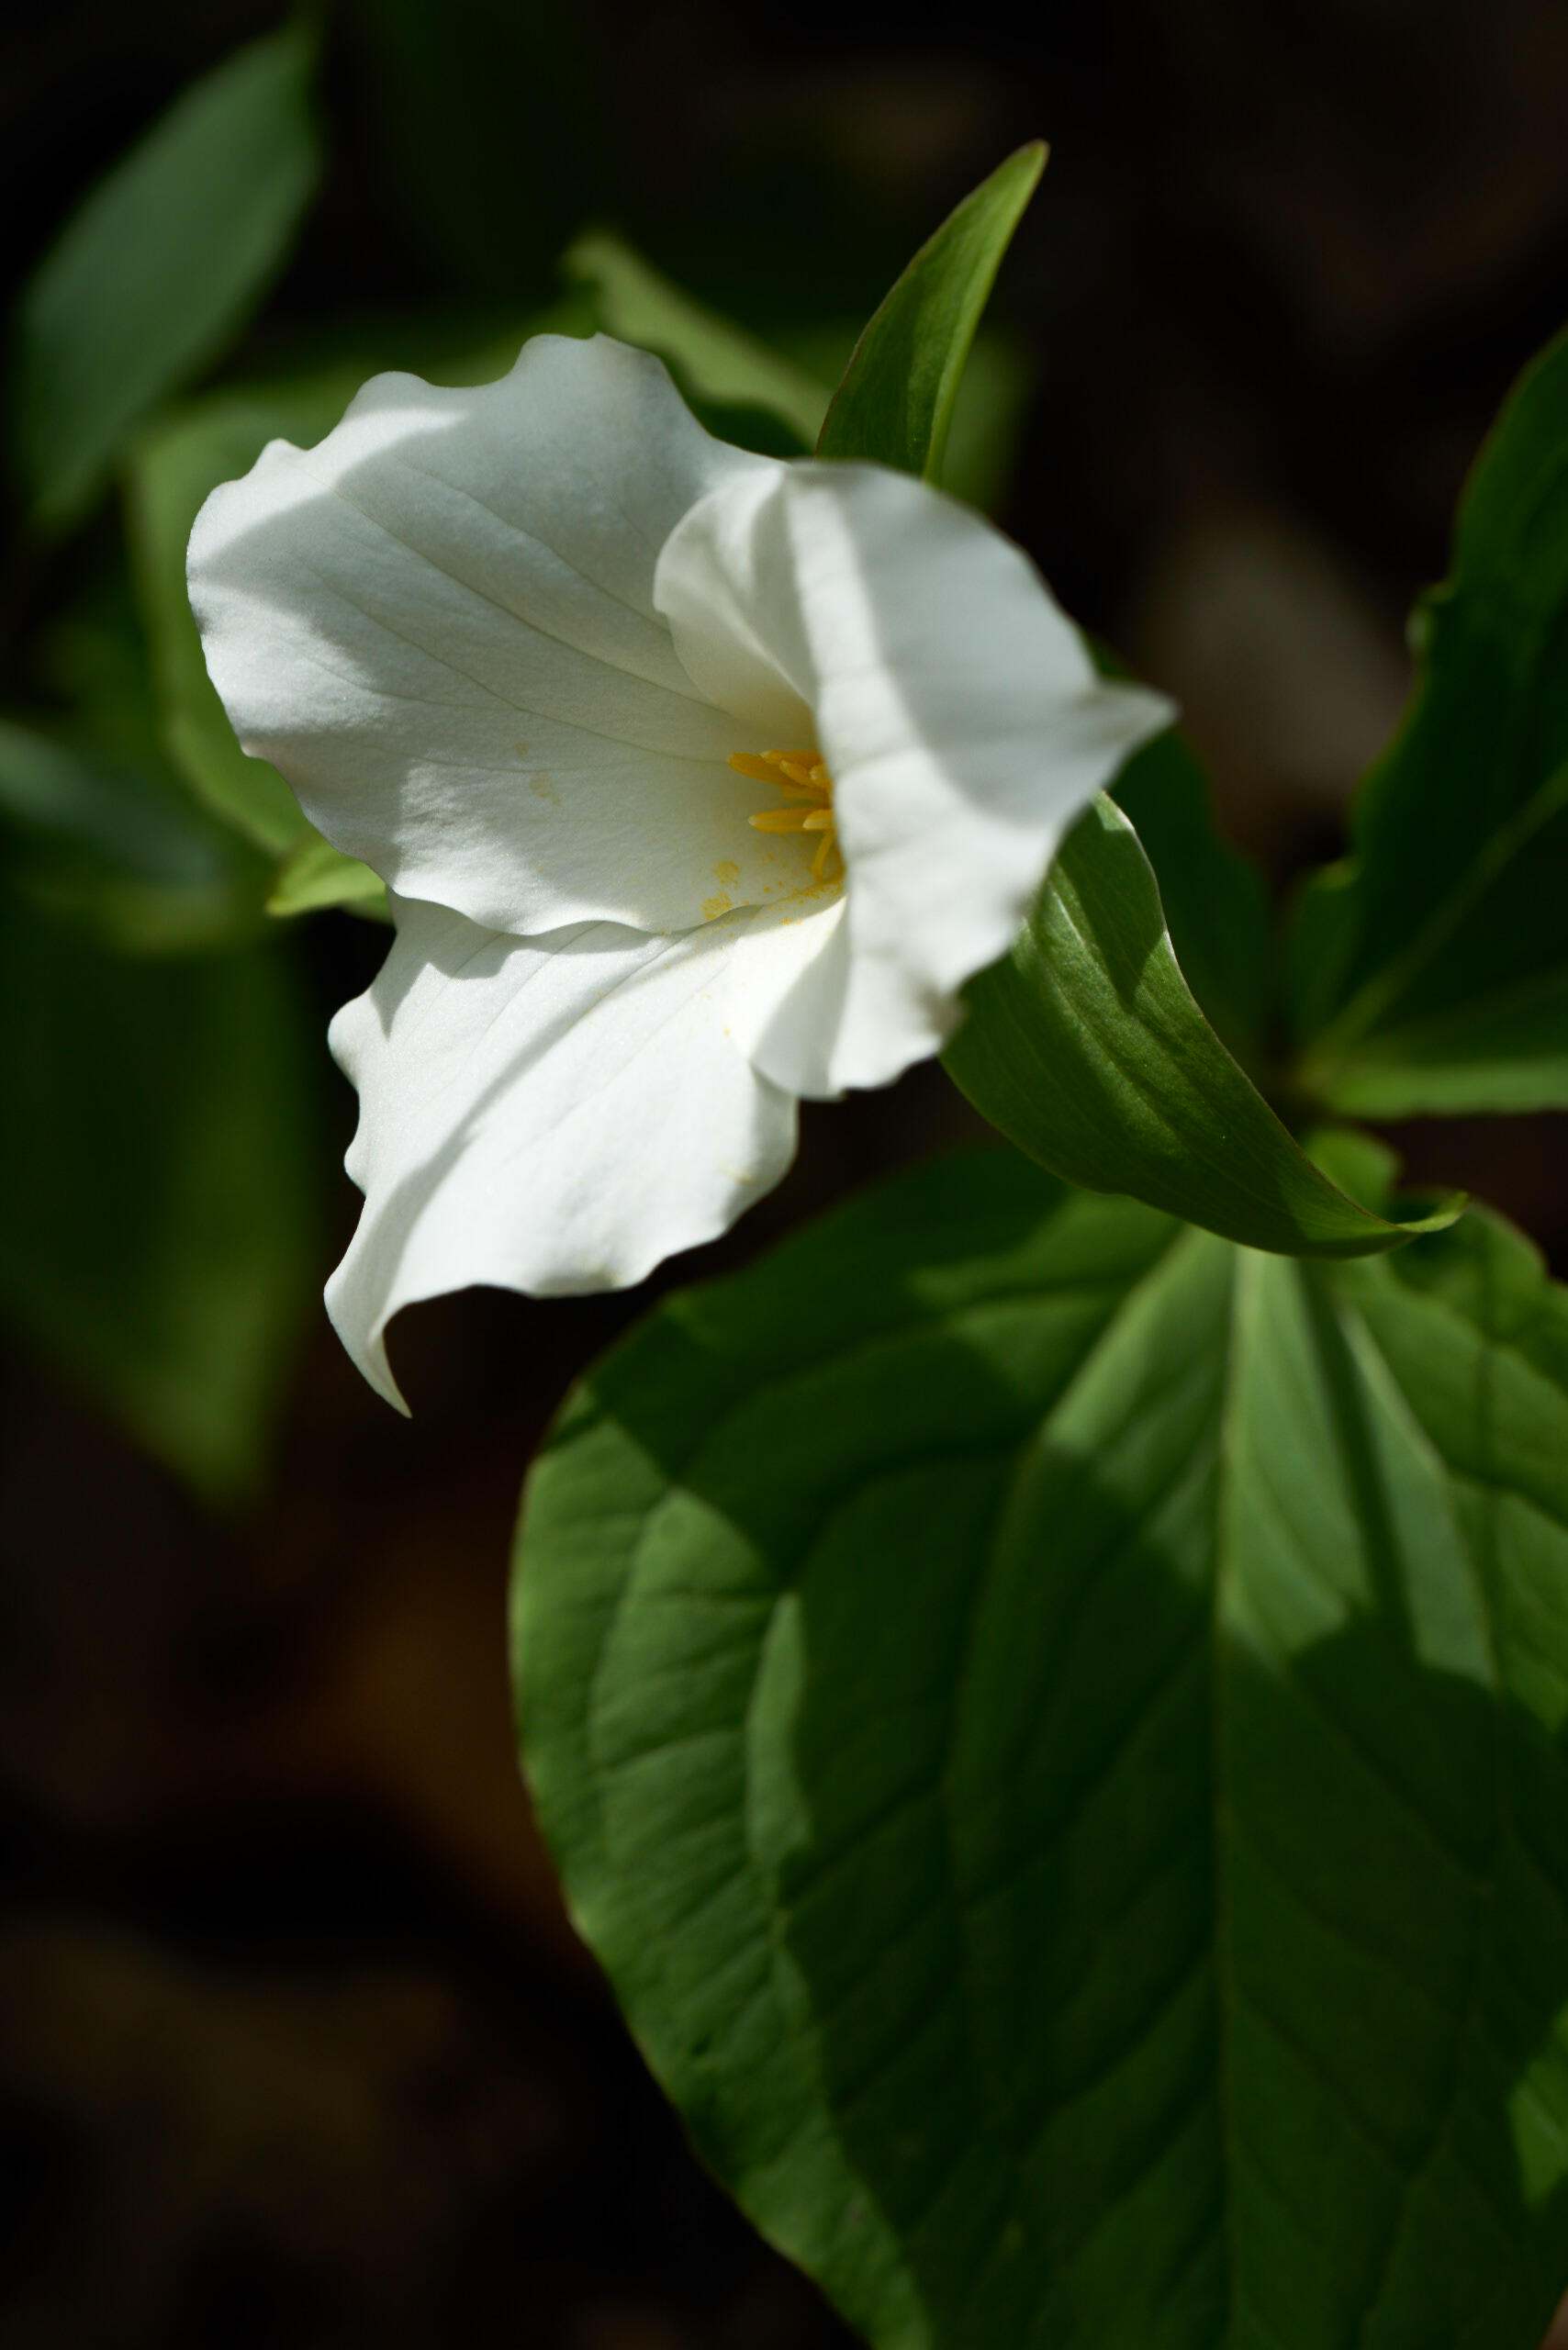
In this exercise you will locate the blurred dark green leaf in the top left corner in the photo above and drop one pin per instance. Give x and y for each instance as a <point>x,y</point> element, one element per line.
<point>161,267</point>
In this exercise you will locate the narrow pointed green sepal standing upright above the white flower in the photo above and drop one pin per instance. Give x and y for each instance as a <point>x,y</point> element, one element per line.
<point>897,398</point>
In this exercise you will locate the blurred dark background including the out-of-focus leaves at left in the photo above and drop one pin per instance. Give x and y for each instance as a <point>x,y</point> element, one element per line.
<point>297,2046</point>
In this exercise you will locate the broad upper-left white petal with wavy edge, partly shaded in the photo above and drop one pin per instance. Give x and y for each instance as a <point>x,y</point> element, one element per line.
<point>441,626</point>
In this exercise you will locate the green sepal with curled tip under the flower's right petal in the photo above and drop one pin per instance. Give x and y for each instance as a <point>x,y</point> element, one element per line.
<point>1087,1049</point>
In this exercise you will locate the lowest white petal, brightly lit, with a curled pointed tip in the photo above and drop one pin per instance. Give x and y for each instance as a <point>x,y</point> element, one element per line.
<point>544,1115</point>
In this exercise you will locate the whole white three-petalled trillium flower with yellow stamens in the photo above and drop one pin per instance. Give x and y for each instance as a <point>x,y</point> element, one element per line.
<point>699,781</point>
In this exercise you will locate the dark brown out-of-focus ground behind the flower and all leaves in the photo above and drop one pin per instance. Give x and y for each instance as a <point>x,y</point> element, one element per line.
<point>297,2046</point>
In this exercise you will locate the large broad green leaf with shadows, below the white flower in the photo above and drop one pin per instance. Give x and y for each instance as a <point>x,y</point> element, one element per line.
<point>1057,1731</point>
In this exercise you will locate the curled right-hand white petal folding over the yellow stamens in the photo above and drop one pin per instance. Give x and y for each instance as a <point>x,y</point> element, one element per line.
<point>960,718</point>
